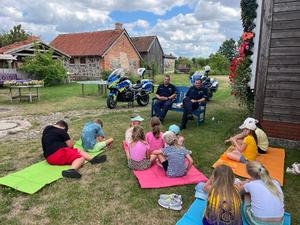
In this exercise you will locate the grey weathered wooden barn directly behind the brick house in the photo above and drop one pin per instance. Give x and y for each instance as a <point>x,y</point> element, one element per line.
<point>151,51</point>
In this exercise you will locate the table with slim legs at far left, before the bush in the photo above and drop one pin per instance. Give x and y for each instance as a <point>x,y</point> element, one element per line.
<point>30,95</point>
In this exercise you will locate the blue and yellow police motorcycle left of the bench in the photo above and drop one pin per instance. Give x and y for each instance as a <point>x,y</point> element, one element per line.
<point>122,90</point>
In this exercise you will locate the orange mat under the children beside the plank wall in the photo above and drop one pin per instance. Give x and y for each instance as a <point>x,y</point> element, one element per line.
<point>273,161</point>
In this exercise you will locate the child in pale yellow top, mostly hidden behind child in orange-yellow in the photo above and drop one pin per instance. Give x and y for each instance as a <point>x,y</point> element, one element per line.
<point>262,138</point>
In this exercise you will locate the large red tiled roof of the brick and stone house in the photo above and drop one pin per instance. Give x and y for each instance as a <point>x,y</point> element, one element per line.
<point>86,44</point>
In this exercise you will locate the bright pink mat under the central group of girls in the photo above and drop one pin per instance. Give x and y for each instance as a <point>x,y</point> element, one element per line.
<point>155,176</point>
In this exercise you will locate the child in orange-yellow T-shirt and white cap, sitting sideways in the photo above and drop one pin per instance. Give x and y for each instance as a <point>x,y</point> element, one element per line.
<point>246,149</point>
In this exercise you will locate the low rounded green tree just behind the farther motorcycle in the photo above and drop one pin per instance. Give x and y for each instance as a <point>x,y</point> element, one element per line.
<point>219,64</point>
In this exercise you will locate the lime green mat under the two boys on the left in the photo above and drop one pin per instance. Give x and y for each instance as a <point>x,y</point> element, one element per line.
<point>35,177</point>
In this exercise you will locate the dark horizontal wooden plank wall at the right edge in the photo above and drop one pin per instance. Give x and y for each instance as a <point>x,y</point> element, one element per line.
<point>282,85</point>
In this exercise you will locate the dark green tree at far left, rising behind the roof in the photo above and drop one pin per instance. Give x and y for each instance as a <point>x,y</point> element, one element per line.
<point>14,35</point>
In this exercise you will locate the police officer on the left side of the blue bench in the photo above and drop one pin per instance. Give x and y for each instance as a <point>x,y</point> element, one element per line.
<point>165,94</point>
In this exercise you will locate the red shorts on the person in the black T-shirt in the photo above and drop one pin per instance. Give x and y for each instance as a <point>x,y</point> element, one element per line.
<point>64,156</point>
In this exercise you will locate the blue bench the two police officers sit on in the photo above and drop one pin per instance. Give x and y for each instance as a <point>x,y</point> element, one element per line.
<point>180,94</point>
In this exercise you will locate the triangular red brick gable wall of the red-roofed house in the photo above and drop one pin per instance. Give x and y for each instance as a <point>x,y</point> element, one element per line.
<point>121,55</point>
